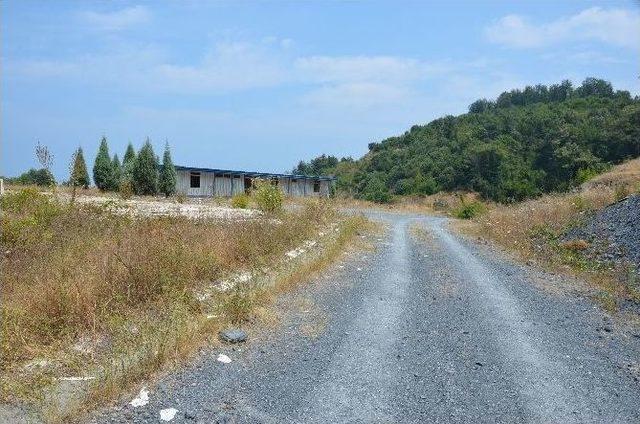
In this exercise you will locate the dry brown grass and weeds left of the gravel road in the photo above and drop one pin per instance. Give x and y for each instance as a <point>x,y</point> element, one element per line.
<point>88,291</point>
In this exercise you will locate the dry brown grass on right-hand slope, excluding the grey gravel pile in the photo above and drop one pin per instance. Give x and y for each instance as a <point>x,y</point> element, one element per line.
<point>533,229</point>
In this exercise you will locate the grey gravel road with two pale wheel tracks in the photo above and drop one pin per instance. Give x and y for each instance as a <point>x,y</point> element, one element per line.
<point>427,328</point>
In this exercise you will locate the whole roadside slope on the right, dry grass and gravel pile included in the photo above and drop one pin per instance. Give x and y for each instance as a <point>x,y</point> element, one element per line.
<point>591,232</point>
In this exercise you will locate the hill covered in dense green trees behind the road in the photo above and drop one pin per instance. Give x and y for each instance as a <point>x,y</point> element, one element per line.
<point>526,142</point>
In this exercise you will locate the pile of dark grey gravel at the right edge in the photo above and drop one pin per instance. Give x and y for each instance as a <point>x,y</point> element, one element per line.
<point>613,233</point>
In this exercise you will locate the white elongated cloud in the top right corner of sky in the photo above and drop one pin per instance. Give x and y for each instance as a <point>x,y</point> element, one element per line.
<point>619,27</point>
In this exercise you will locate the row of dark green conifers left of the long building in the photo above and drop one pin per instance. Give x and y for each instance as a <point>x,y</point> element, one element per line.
<point>139,173</point>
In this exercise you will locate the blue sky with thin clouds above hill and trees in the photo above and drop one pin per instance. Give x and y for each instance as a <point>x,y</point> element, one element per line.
<point>262,84</point>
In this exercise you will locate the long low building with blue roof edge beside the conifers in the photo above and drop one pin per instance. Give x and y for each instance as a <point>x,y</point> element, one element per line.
<point>210,182</point>
